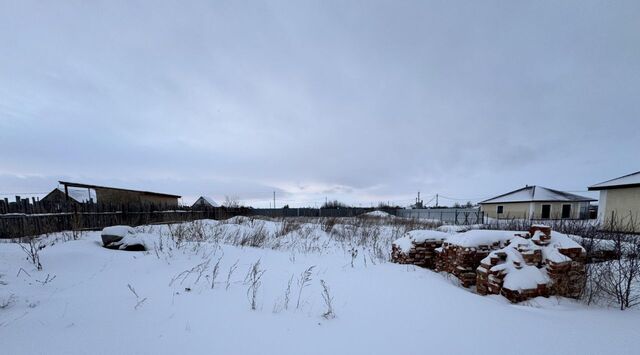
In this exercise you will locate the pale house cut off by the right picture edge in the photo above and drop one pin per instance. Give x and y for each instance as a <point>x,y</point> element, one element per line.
<point>619,206</point>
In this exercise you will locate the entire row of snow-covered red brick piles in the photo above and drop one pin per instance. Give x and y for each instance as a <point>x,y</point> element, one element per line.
<point>533,264</point>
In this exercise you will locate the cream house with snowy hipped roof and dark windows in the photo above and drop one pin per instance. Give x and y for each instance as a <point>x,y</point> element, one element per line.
<point>537,202</point>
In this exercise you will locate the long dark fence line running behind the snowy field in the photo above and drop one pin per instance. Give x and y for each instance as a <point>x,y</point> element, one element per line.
<point>28,218</point>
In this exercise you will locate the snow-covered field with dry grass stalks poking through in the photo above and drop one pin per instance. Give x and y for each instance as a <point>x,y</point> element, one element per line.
<point>83,301</point>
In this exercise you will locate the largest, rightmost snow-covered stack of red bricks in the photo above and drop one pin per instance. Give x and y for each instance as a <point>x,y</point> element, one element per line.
<point>538,263</point>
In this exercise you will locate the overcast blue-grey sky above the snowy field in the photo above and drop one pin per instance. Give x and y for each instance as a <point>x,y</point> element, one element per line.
<point>361,101</point>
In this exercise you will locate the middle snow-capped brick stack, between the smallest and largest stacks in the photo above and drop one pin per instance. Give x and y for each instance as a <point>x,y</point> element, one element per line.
<point>461,253</point>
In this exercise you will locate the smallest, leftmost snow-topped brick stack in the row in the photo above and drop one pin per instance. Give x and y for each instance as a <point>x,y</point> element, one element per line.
<point>418,247</point>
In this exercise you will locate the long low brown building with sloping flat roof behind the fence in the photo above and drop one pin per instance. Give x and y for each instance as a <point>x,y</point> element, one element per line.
<point>117,196</point>
